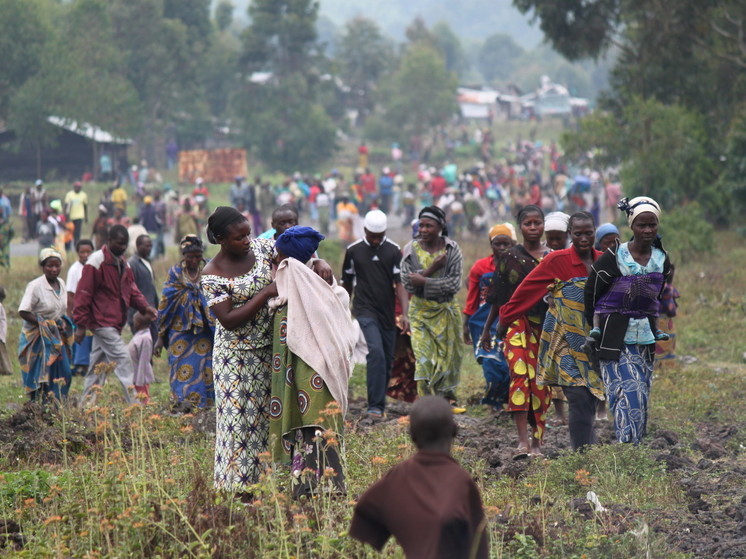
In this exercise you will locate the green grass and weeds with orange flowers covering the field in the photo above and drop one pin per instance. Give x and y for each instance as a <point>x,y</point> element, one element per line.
<point>140,484</point>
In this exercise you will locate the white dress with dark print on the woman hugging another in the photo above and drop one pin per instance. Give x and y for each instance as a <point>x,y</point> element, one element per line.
<point>242,375</point>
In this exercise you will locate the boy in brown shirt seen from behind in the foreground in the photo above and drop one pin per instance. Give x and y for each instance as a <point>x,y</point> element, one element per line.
<point>429,502</point>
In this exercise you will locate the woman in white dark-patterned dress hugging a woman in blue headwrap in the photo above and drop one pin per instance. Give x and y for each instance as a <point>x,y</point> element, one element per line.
<point>237,284</point>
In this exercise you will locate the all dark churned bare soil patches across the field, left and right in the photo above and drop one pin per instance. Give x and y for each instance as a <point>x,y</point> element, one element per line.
<point>714,526</point>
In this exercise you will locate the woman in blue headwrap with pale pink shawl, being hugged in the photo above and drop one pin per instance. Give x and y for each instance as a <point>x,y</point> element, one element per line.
<point>314,339</point>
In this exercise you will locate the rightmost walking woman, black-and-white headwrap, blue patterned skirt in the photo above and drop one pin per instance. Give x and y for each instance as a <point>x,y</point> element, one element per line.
<point>625,287</point>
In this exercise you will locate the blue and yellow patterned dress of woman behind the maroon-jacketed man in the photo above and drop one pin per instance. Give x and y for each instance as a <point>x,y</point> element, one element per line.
<point>187,329</point>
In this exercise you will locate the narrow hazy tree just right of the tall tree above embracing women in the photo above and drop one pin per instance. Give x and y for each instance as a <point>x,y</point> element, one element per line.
<point>364,57</point>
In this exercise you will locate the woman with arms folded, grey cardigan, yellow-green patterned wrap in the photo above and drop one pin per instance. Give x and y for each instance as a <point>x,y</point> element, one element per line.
<point>431,272</point>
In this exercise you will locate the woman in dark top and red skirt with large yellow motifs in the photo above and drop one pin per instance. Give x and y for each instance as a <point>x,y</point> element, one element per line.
<point>527,400</point>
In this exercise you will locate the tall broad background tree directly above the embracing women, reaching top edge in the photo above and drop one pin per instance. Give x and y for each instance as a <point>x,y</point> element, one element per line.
<point>283,119</point>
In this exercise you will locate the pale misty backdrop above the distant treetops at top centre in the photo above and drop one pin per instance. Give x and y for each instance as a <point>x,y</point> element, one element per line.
<point>473,19</point>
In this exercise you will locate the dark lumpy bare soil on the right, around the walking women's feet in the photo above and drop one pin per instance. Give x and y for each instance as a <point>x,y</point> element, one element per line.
<point>710,472</point>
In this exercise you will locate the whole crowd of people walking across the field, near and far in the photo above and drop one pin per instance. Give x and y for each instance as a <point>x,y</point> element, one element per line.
<point>263,333</point>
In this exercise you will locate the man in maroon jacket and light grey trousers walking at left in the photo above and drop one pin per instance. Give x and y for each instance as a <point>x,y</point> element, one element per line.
<point>105,292</point>
